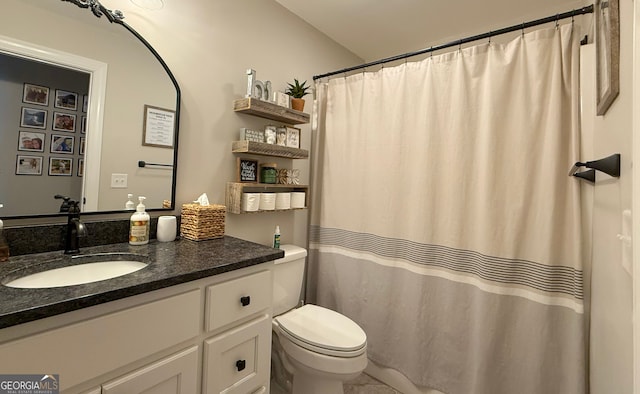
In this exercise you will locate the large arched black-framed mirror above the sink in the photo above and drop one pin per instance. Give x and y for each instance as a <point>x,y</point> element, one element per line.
<point>88,110</point>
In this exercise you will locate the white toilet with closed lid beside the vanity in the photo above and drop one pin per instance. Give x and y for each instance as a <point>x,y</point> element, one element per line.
<point>318,347</point>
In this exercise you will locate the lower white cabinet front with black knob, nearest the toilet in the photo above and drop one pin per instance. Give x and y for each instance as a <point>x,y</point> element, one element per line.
<point>238,361</point>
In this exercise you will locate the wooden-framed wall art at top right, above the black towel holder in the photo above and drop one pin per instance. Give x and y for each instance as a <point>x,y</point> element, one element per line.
<point>607,26</point>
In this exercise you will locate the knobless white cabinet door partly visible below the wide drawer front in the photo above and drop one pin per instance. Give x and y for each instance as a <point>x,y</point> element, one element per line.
<point>176,374</point>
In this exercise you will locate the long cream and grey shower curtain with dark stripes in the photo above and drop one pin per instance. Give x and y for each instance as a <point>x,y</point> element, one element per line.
<point>443,221</point>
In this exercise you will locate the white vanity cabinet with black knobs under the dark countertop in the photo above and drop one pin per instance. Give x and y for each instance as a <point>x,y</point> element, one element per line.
<point>193,337</point>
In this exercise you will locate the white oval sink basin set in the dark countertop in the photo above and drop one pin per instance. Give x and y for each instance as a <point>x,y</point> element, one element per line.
<point>77,274</point>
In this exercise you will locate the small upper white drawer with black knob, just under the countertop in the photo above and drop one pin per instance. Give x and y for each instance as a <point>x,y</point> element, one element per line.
<point>237,299</point>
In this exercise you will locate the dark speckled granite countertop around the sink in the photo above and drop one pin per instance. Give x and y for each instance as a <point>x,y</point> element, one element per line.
<point>170,263</point>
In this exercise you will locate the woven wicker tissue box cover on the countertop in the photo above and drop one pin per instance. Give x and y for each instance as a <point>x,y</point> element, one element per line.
<point>201,222</point>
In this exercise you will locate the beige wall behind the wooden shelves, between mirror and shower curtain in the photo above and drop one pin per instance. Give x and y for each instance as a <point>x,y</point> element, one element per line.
<point>209,45</point>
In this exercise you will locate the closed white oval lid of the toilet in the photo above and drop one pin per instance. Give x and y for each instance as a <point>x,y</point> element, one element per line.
<point>323,328</point>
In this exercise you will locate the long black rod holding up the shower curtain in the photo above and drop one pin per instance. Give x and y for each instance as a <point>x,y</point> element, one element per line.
<point>570,14</point>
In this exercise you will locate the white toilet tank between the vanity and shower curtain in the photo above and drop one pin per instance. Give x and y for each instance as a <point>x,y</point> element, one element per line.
<point>288,276</point>
